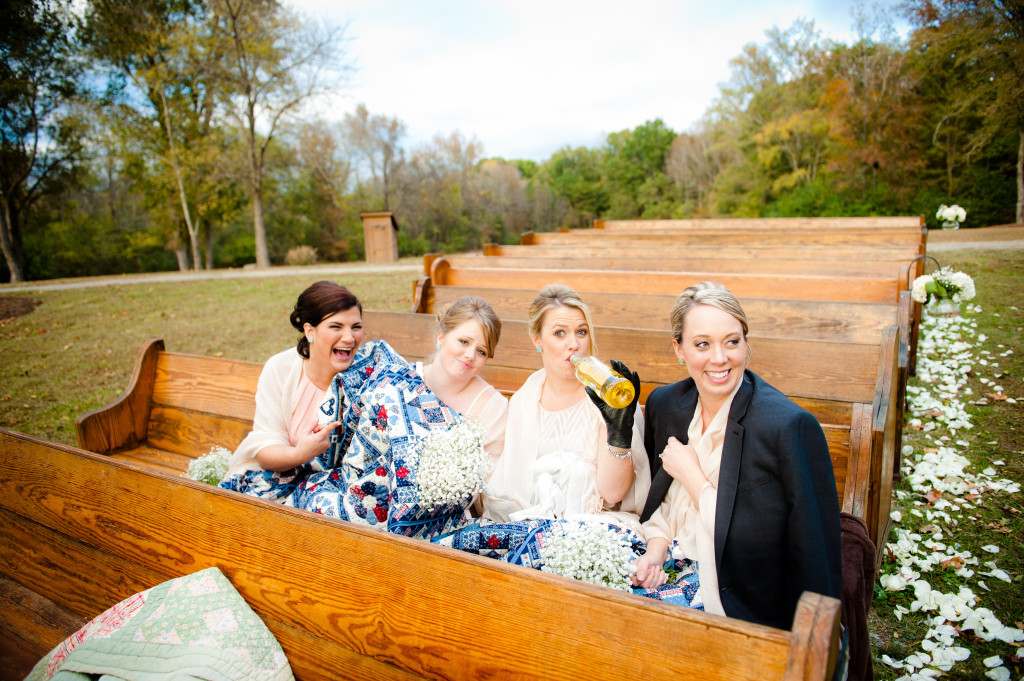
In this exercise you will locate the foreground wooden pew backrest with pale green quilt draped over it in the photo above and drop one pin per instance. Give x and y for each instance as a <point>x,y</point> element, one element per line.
<point>77,543</point>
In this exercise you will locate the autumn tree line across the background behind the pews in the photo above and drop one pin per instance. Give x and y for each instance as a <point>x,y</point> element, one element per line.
<point>164,135</point>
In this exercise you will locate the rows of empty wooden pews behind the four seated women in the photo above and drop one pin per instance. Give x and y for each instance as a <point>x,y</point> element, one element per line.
<point>812,287</point>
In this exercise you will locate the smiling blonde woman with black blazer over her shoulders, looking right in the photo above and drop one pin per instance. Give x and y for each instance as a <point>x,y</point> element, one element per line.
<point>758,502</point>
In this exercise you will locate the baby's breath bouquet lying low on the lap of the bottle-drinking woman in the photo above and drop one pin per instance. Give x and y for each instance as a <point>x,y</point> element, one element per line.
<point>588,552</point>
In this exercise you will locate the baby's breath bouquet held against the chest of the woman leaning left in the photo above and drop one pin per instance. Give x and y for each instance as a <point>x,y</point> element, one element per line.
<point>453,464</point>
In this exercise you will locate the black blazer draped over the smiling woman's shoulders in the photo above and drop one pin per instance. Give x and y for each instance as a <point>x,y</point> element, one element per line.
<point>777,525</point>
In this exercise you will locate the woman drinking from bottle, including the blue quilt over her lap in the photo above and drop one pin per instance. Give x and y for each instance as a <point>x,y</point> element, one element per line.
<point>574,469</point>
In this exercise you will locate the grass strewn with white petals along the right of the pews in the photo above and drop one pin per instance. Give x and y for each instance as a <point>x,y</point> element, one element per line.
<point>946,526</point>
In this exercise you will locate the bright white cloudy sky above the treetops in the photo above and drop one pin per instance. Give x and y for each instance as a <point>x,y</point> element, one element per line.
<point>529,77</point>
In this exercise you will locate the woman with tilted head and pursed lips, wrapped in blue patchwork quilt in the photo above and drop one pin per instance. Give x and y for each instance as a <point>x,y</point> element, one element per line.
<point>416,441</point>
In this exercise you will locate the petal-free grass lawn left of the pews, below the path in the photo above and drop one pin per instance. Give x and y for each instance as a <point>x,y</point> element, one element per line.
<point>75,352</point>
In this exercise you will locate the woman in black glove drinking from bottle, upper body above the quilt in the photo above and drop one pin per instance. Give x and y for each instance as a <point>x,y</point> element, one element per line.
<point>568,454</point>
